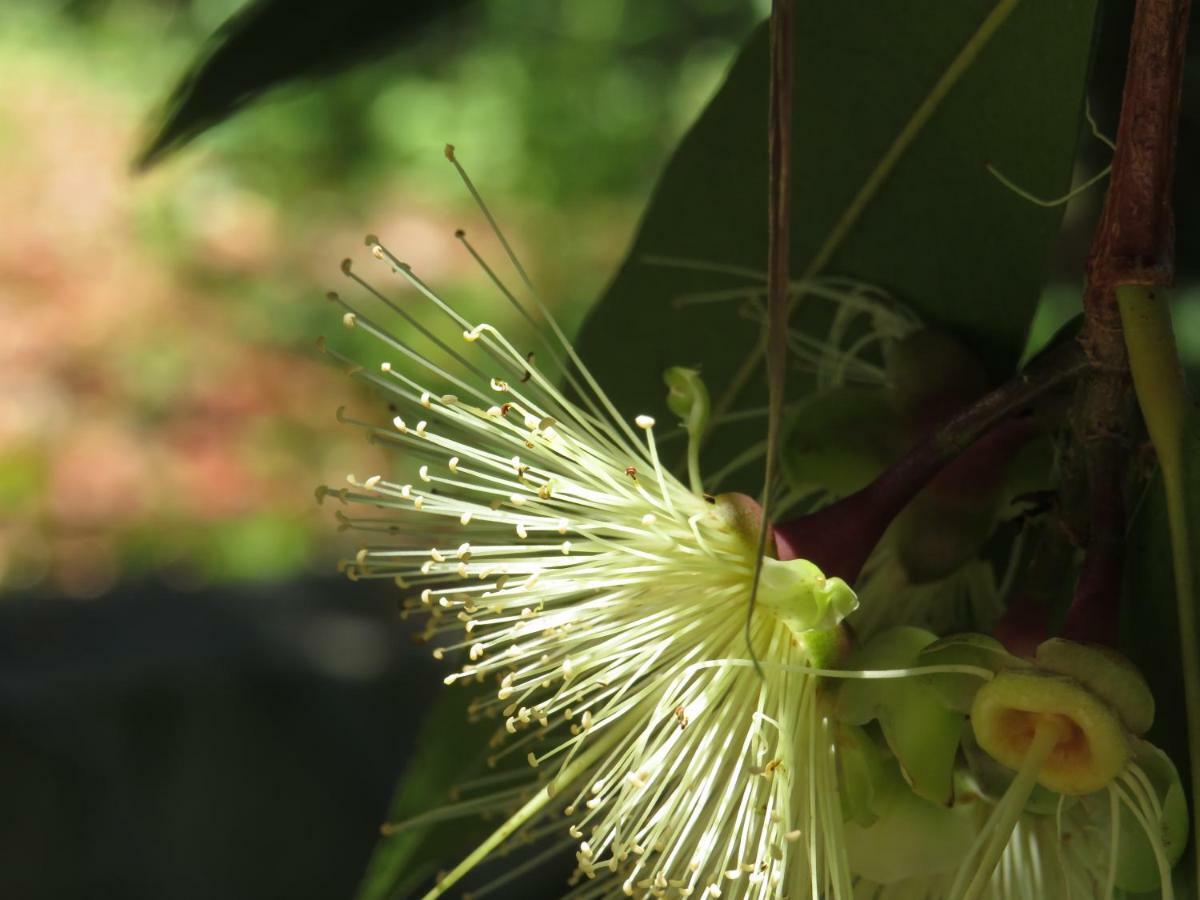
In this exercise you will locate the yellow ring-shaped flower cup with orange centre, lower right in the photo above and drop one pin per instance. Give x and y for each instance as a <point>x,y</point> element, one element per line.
<point>1090,747</point>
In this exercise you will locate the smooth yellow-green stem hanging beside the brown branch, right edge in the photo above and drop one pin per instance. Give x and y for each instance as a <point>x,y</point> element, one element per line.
<point>1159,382</point>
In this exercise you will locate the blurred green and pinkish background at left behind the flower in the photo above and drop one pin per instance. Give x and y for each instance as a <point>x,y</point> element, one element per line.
<point>165,411</point>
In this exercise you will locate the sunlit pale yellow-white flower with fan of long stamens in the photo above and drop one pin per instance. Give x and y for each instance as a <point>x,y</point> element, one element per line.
<point>608,604</point>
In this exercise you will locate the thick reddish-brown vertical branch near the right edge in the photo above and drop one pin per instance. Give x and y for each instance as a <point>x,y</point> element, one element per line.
<point>1133,245</point>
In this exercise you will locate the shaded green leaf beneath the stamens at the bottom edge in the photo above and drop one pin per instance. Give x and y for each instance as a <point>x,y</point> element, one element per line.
<point>405,861</point>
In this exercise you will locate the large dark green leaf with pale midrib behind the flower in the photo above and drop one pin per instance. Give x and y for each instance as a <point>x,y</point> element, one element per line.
<point>940,233</point>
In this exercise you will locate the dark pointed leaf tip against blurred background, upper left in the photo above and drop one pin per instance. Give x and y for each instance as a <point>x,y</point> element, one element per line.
<point>271,43</point>
